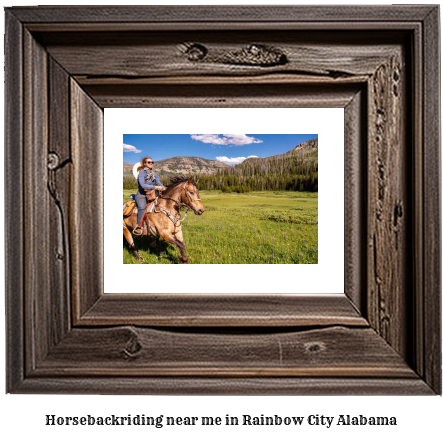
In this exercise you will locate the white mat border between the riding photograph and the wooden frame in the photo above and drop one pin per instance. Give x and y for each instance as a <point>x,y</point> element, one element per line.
<point>328,123</point>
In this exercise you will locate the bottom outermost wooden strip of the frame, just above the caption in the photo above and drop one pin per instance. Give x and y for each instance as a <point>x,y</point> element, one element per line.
<point>174,385</point>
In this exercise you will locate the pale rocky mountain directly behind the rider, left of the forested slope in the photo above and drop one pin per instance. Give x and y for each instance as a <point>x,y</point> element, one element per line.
<point>181,166</point>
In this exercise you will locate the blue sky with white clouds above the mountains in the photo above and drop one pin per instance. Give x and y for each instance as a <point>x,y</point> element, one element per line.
<point>228,148</point>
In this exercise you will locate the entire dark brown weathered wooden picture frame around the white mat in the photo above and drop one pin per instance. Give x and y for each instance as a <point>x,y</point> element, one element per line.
<point>64,65</point>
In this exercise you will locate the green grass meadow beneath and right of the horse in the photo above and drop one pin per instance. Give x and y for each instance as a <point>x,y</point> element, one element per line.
<point>257,227</point>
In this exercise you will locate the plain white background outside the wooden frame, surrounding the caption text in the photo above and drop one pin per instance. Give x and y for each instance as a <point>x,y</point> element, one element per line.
<point>23,415</point>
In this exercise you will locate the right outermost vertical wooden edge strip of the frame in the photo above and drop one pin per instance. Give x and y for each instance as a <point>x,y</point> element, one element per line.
<point>430,318</point>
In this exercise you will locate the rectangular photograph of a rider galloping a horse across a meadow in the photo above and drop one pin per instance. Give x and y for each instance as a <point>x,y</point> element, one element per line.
<point>186,201</point>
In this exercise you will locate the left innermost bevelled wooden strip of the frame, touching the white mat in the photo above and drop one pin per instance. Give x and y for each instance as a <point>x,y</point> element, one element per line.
<point>86,197</point>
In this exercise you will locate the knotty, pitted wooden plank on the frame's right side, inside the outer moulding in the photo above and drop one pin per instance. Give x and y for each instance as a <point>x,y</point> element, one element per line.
<point>388,204</point>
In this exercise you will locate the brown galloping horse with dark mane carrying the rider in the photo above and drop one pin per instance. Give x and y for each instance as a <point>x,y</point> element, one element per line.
<point>164,220</point>
